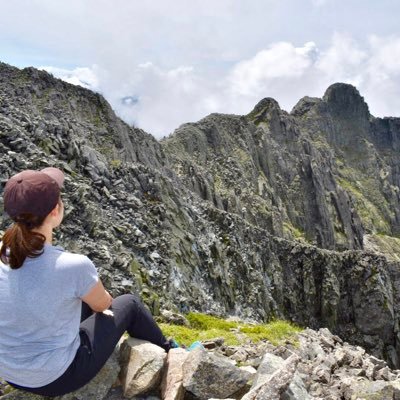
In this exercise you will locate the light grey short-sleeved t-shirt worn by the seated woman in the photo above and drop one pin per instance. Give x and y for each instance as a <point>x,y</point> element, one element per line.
<point>40,309</point>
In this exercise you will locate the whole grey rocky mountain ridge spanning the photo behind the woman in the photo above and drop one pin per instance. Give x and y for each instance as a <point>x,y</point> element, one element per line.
<point>271,214</point>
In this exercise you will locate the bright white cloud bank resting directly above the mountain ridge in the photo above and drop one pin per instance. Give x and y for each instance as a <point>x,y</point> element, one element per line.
<point>160,99</point>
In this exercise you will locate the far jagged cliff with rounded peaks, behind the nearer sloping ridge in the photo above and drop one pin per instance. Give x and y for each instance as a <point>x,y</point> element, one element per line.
<point>324,173</point>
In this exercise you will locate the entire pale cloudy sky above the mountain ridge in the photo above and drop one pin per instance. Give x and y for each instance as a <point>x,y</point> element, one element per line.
<point>181,60</point>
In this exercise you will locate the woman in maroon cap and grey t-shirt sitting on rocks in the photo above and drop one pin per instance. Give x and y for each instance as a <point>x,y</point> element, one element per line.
<point>58,325</point>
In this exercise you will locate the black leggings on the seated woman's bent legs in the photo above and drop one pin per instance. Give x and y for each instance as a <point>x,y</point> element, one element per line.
<point>99,334</point>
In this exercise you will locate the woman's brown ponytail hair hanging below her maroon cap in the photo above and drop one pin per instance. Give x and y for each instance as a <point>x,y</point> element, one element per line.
<point>20,242</point>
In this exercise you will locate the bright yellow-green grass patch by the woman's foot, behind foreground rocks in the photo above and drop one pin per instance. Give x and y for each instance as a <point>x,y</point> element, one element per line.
<point>204,327</point>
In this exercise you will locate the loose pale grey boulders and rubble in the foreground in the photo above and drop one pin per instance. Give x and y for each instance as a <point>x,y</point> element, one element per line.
<point>318,365</point>
